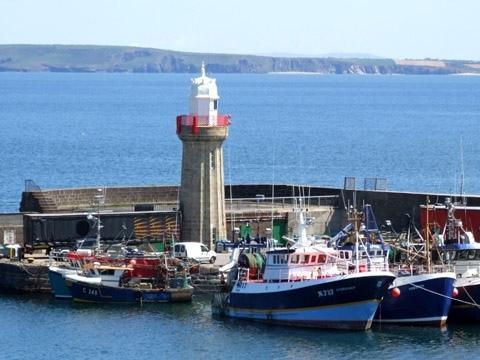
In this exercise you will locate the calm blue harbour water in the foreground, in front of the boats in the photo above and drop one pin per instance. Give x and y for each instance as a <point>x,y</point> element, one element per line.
<point>44,329</point>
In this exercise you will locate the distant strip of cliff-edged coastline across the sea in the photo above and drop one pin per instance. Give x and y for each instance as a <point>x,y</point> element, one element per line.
<point>84,58</point>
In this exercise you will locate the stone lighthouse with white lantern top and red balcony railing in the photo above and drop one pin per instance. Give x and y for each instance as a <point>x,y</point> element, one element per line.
<point>202,189</point>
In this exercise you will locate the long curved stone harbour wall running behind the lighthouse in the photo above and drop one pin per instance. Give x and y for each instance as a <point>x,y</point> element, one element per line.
<point>387,205</point>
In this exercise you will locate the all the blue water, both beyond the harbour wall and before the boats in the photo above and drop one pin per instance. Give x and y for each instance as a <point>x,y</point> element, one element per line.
<point>67,130</point>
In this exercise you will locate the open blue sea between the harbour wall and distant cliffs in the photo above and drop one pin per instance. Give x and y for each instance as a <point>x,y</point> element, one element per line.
<point>67,130</point>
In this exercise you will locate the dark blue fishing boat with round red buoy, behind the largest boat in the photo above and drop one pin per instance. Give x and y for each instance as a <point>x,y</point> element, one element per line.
<point>419,295</point>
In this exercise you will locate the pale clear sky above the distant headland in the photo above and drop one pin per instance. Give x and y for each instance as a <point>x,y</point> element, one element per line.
<point>402,28</point>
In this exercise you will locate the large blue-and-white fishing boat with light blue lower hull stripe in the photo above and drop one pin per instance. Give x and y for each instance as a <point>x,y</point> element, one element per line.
<point>306,285</point>
